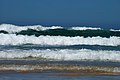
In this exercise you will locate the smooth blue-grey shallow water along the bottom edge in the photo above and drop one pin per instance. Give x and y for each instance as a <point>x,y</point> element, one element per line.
<point>47,76</point>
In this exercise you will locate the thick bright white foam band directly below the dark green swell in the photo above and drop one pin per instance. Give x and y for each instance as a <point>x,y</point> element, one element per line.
<point>12,39</point>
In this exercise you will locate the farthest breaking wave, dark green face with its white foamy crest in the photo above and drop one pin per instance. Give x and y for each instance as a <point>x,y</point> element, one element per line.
<point>39,30</point>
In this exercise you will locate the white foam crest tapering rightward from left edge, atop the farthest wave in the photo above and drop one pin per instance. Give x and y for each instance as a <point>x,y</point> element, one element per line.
<point>13,28</point>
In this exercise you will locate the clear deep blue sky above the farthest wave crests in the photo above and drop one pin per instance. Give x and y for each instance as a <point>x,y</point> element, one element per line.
<point>105,13</point>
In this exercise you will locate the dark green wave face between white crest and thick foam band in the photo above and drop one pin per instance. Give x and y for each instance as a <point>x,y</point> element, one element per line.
<point>71,33</point>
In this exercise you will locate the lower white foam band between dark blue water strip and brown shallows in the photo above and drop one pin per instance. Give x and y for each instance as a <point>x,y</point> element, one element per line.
<point>63,54</point>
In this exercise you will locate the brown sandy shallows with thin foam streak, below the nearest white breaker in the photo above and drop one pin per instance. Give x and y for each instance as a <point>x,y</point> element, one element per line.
<point>17,66</point>
